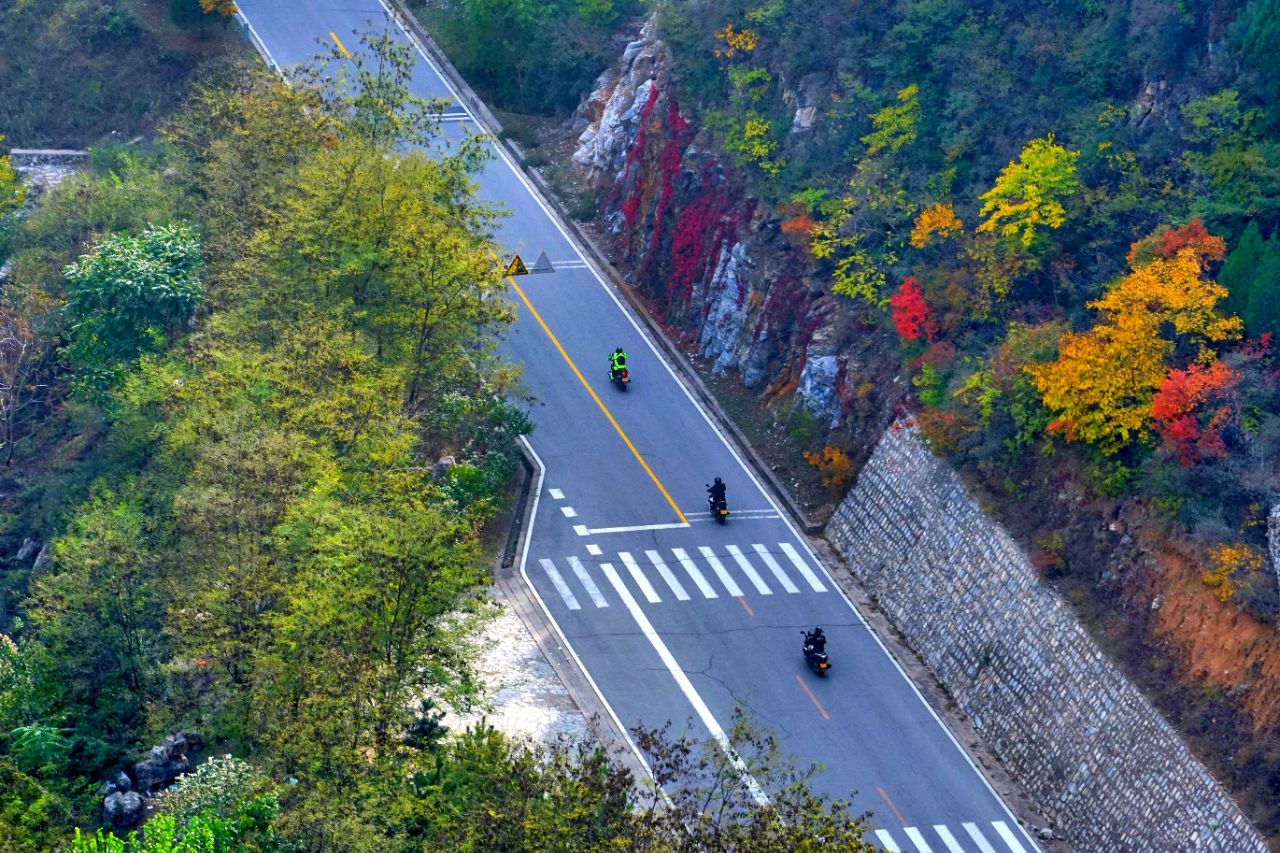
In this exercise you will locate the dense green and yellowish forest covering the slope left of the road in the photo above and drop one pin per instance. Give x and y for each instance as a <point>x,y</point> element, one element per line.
<point>231,358</point>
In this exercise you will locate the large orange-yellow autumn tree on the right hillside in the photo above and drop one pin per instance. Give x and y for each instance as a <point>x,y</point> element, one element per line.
<point>1103,385</point>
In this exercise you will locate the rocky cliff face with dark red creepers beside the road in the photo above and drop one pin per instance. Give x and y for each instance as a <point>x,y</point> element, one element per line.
<point>715,264</point>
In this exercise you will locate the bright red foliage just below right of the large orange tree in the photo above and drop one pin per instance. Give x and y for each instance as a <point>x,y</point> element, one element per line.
<point>1194,409</point>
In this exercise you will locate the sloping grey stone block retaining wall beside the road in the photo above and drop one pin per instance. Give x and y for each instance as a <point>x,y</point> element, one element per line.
<point>1081,740</point>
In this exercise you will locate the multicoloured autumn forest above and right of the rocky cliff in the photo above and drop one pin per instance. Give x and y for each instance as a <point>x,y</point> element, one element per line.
<point>1067,213</point>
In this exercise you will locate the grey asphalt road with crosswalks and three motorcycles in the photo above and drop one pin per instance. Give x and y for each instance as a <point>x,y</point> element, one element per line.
<point>674,617</point>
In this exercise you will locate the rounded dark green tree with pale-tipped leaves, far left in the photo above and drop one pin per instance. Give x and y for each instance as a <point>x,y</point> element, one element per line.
<point>129,297</point>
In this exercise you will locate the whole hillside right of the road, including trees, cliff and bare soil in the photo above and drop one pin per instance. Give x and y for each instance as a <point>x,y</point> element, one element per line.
<point>1058,225</point>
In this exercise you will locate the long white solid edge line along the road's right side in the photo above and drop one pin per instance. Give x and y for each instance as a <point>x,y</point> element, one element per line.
<point>706,417</point>
